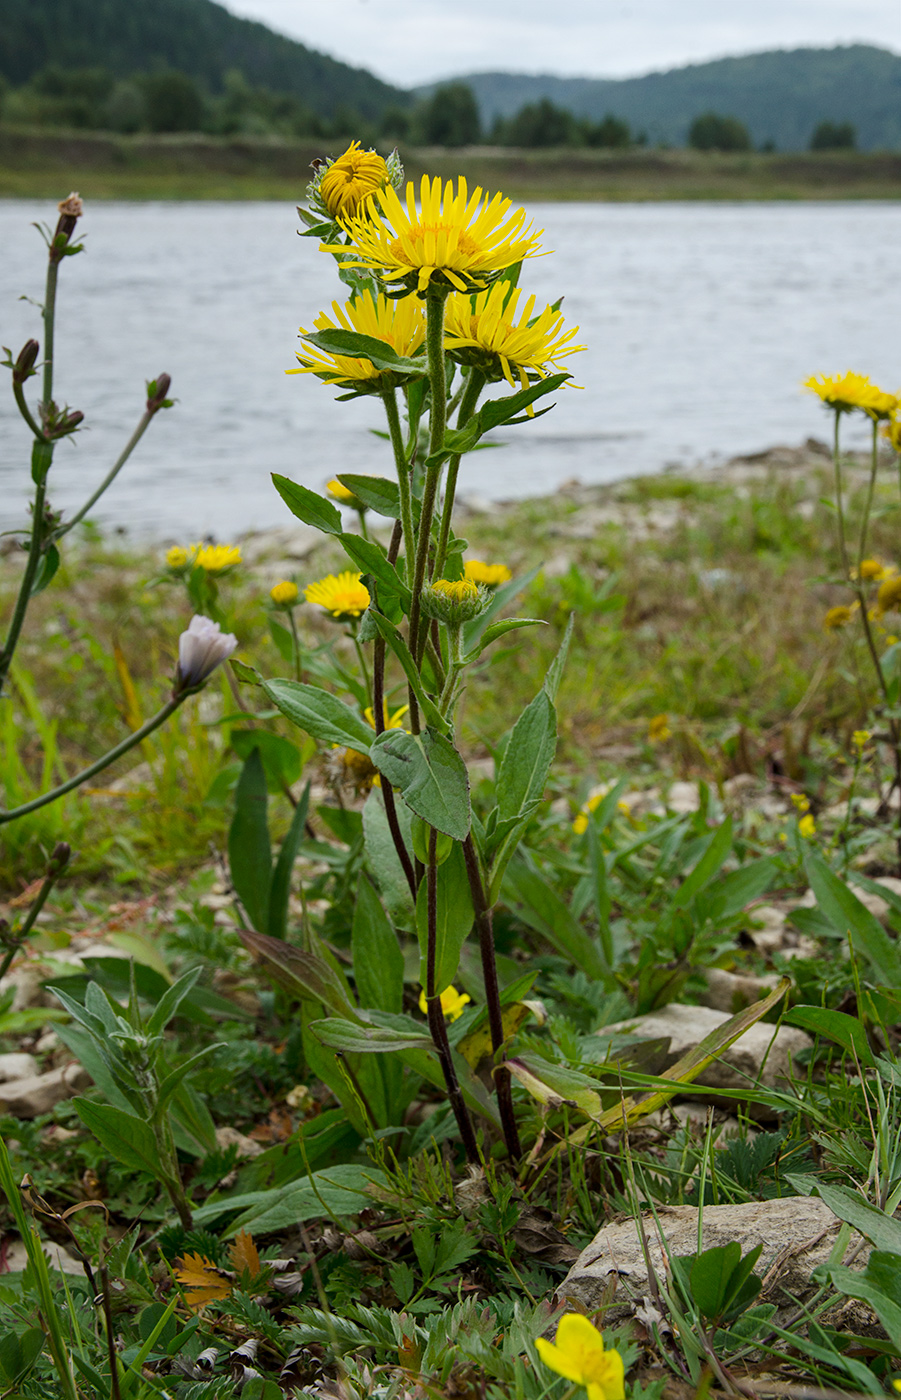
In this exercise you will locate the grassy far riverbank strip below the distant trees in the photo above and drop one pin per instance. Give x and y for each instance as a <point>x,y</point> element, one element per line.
<point>41,164</point>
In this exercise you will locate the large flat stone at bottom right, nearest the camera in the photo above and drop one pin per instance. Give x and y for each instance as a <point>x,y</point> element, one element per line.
<point>797,1234</point>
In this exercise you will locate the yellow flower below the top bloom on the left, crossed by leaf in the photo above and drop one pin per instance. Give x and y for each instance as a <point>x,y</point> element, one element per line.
<point>399,324</point>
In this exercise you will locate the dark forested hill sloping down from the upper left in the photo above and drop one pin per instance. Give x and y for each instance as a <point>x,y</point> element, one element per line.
<point>195,37</point>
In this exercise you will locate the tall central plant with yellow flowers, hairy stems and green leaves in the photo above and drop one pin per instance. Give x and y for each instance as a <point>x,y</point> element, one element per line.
<point>434,325</point>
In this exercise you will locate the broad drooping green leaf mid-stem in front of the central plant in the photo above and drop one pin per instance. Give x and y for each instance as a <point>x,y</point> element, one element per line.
<point>432,776</point>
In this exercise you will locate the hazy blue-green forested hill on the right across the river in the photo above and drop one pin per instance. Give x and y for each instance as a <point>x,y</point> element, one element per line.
<point>780,96</point>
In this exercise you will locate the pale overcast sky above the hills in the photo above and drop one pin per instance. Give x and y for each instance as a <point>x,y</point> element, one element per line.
<point>415,41</point>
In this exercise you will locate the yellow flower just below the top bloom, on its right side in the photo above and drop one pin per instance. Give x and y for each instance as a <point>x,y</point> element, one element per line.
<point>486,332</point>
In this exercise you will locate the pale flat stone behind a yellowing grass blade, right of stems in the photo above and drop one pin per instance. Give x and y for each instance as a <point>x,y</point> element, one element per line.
<point>762,1055</point>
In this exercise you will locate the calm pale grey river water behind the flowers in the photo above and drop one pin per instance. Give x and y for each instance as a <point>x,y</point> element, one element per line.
<point>702,321</point>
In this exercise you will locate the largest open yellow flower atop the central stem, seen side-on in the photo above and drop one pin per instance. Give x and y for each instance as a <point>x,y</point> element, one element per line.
<point>453,239</point>
